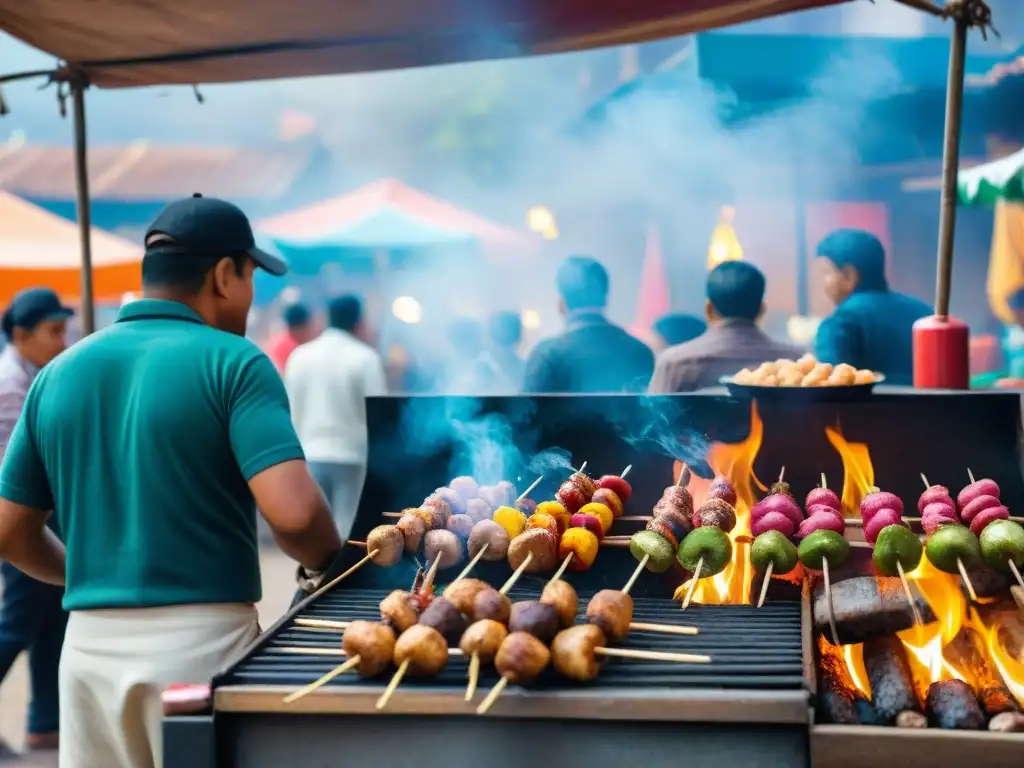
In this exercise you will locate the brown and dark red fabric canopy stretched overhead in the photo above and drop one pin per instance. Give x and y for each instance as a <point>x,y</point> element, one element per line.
<point>116,44</point>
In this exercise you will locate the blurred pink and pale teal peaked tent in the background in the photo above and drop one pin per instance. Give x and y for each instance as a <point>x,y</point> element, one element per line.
<point>386,215</point>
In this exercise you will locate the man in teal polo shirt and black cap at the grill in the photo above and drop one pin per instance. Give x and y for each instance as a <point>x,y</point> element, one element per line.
<point>154,442</point>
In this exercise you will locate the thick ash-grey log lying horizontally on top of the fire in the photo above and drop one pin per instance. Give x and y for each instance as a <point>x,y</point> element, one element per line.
<point>867,608</point>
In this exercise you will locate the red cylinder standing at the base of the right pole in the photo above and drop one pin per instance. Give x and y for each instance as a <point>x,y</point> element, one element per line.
<point>942,354</point>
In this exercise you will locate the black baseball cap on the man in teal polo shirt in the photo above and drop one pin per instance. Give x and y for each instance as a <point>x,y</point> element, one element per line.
<point>199,226</point>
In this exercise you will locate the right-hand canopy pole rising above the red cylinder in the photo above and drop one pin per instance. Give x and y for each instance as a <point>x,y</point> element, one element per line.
<point>951,164</point>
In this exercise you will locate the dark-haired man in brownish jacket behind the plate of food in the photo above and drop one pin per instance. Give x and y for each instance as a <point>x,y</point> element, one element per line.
<point>734,340</point>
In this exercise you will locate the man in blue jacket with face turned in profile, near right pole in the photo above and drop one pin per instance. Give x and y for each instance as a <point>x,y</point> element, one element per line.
<point>873,327</point>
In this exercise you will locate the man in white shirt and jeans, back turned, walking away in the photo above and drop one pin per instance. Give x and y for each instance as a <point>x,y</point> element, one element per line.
<point>328,381</point>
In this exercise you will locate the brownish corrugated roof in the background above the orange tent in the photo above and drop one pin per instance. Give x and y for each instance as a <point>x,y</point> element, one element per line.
<point>144,172</point>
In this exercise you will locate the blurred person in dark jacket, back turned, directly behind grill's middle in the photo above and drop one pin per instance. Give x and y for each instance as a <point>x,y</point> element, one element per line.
<point>591,355</point>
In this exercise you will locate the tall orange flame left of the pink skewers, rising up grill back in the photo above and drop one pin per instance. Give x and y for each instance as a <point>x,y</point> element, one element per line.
<point>735,461</point>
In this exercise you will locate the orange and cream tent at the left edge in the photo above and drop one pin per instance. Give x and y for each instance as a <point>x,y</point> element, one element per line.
<point>38,248</point>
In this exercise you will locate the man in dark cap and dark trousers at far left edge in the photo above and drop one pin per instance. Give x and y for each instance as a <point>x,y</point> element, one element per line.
<point>31,618</point>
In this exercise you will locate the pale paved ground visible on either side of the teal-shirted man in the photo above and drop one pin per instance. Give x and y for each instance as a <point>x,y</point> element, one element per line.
<point>279,585</point>
